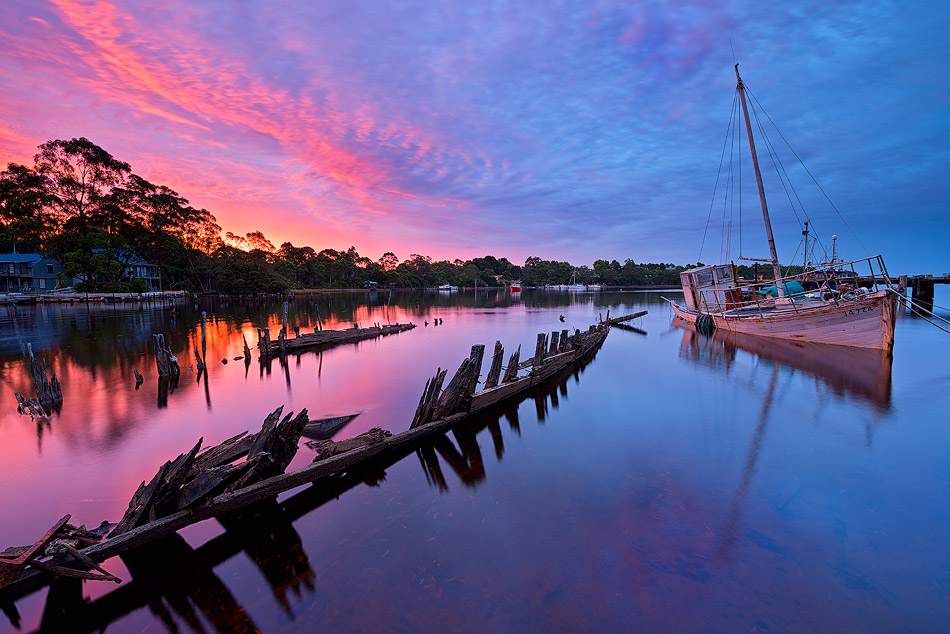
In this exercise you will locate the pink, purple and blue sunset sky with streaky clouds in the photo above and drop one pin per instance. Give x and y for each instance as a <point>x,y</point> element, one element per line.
<point>564,129</point>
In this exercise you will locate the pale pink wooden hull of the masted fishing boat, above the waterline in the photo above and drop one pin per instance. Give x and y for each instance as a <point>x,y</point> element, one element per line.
<point>864,322</point>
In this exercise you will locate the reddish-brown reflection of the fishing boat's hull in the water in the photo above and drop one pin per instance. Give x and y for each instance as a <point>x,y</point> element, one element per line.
<point>861,372</point>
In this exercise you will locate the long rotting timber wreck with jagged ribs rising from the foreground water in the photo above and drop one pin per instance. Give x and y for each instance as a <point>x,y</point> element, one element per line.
<point>198,485</point>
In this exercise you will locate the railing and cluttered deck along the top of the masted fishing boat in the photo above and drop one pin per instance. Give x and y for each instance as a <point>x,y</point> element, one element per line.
<point>830,281</point>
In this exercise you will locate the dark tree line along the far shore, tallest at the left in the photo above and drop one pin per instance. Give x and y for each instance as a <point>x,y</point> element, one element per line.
<point>90,211</point>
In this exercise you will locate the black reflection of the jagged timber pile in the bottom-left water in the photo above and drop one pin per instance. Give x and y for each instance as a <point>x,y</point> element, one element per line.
<point>177,583</point>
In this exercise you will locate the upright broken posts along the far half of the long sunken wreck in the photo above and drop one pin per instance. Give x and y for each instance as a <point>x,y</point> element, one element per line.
<point>457,396</point>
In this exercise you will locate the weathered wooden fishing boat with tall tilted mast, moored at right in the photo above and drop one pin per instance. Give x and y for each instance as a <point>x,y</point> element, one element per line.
<point>828,308</point>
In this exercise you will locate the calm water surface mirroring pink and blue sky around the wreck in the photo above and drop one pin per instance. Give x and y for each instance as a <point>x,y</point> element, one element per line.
<point>676,483</point>
